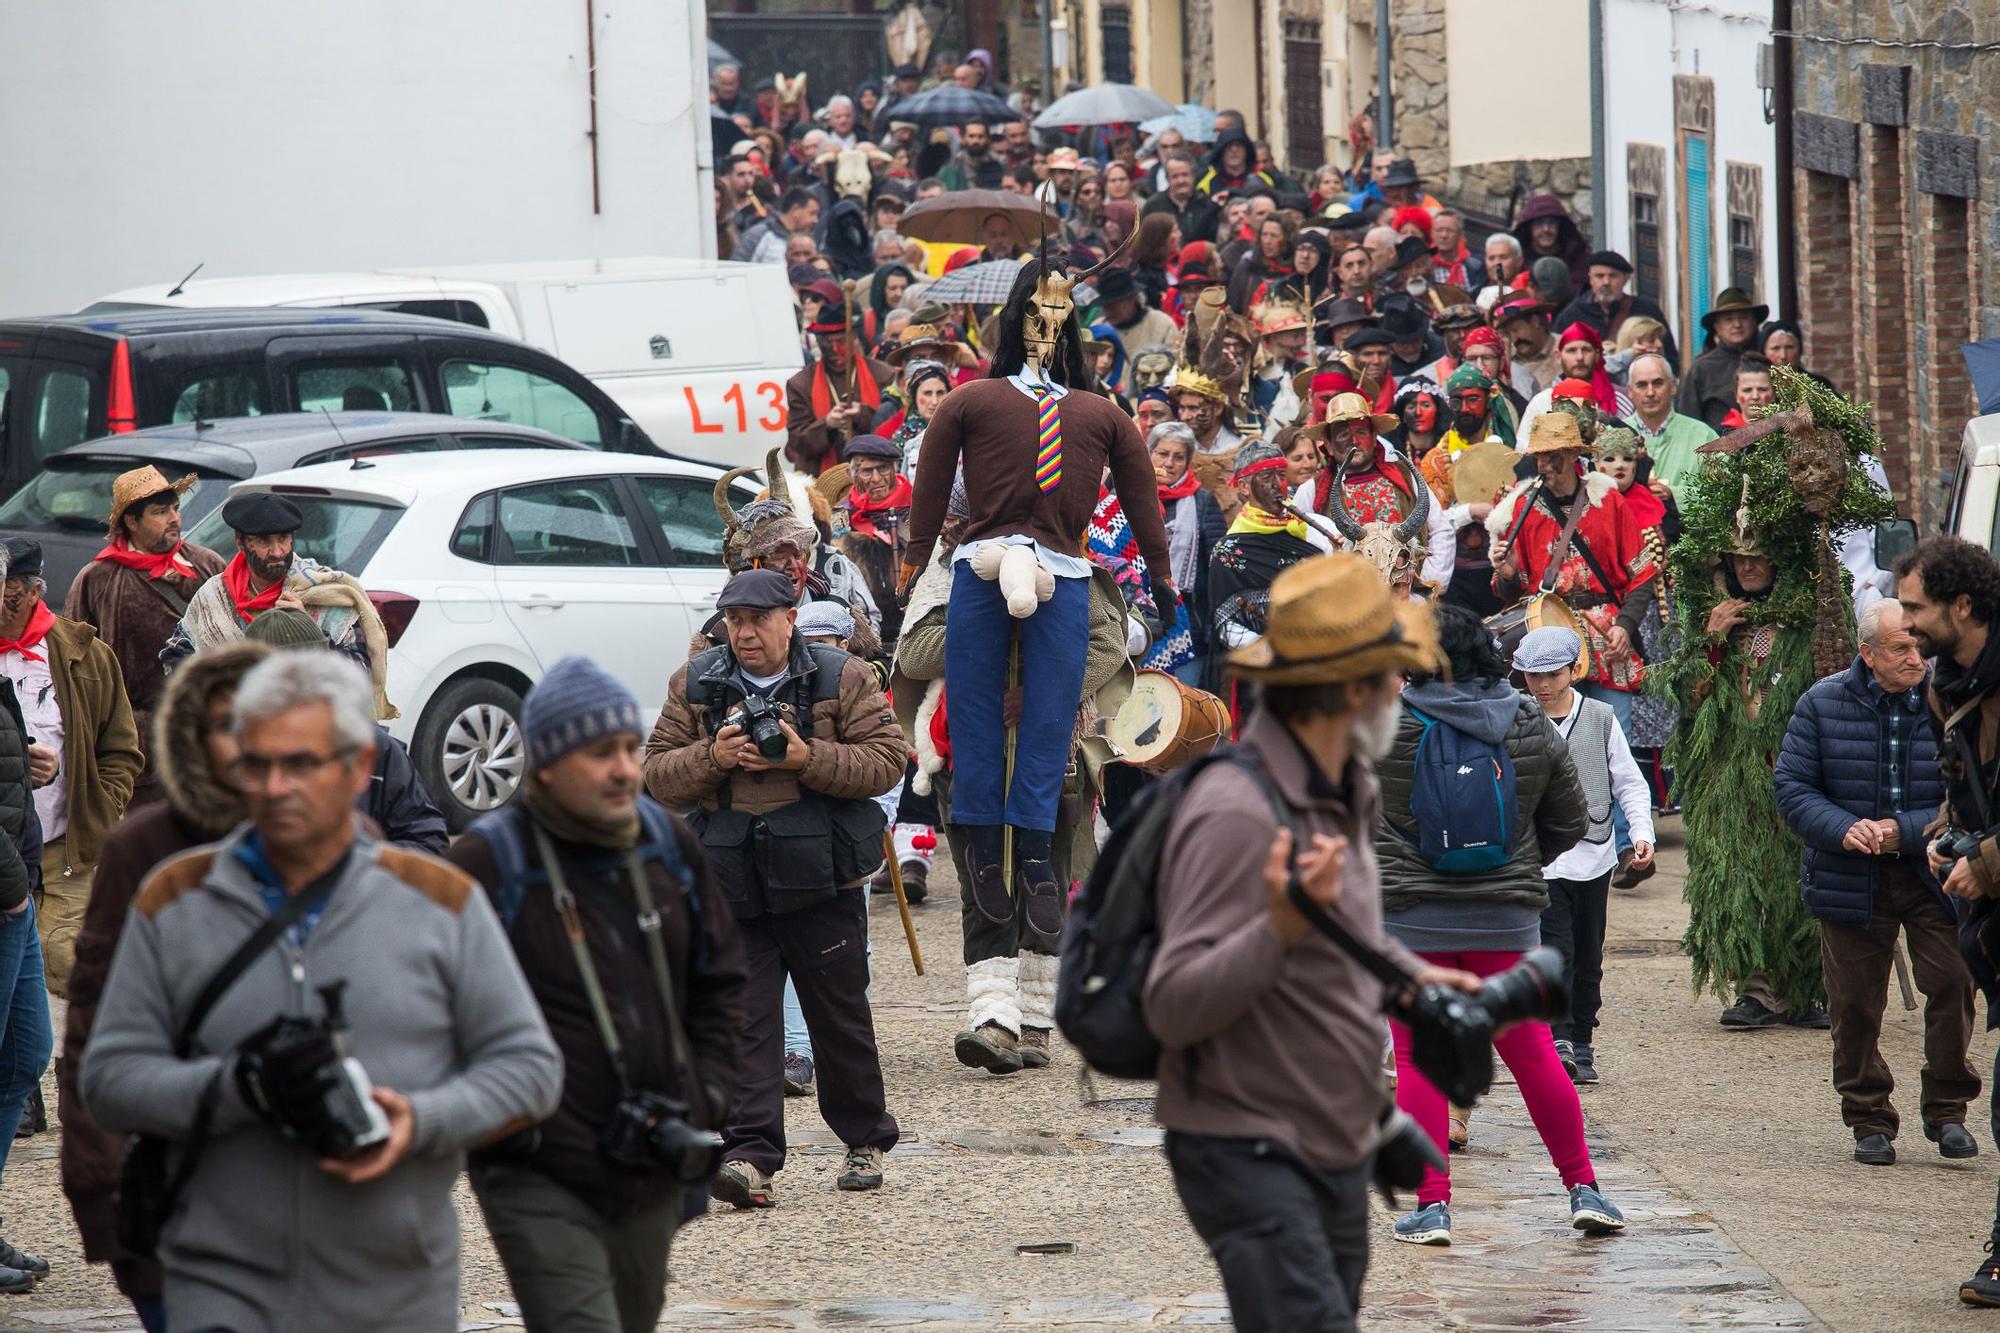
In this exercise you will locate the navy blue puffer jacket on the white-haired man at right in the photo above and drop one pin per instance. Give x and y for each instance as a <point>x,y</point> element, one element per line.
<point>1835,770</point>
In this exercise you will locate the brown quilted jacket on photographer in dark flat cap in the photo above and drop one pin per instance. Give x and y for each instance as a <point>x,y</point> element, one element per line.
<point>857,750</point>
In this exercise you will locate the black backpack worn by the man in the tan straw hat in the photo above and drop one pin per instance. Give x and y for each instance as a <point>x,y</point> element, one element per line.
<point>1115,930</point>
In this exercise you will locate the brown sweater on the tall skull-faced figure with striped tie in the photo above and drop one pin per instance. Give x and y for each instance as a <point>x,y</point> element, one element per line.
<point>997,431</point>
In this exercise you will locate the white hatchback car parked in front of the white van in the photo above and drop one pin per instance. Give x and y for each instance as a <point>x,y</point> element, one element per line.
<point>491,567</point>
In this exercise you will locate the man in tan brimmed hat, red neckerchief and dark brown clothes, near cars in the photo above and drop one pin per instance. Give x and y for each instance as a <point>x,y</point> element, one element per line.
<point>137,589</point>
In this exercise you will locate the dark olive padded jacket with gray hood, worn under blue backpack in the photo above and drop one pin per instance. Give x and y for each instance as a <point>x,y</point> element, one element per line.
<point>1501,912</point>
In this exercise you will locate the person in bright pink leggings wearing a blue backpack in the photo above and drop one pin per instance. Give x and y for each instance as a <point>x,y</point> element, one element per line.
<point>1479,794</point>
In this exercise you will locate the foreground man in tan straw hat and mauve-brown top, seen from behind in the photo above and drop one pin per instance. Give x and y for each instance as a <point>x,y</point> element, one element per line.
<point>1271,1084</point>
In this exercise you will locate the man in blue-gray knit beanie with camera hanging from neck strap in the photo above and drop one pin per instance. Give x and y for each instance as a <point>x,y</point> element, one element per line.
<point>639,970</point>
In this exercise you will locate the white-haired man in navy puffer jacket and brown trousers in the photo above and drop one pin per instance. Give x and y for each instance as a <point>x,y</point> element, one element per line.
<point>1859,782</point>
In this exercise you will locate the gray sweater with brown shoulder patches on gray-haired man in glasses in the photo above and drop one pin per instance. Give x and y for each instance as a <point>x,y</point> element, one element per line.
<point>439,1012</point>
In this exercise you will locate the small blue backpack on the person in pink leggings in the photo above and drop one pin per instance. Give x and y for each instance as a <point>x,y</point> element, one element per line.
<point>1463,800</point>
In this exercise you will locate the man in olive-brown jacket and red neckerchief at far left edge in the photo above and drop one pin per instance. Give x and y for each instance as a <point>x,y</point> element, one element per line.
<point>75,708</point>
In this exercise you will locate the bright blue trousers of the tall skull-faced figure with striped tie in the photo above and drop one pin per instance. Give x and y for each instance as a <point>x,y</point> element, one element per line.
<point>1053,647</point>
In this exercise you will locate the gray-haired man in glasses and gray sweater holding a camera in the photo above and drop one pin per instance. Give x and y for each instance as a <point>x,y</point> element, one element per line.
<point>309,1030</point>
